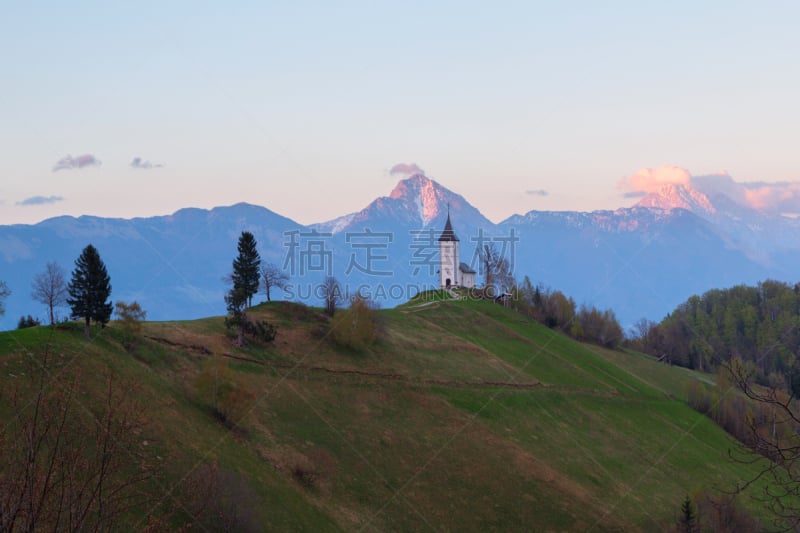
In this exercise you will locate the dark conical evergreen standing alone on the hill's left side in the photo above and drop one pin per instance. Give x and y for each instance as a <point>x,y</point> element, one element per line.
<point>89,289</point>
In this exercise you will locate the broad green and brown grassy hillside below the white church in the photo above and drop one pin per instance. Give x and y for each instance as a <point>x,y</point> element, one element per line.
<point>464,416</point>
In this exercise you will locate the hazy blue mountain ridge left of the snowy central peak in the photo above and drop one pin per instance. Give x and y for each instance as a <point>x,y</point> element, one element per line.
<point>173,265</point>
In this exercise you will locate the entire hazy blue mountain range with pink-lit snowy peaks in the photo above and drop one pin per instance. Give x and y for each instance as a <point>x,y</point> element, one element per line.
<point>679,239</point>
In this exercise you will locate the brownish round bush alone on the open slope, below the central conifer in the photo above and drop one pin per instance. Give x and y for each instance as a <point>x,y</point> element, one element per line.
<point>231,399</point>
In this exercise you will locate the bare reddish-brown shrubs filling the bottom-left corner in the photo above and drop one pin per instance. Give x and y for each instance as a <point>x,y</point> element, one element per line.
<point>66,467</point>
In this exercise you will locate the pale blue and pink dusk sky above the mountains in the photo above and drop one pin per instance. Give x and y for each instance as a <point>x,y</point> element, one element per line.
<point>130,109</point>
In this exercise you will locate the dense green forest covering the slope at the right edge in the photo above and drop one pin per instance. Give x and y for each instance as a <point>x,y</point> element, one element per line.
<point>760,324</point>
